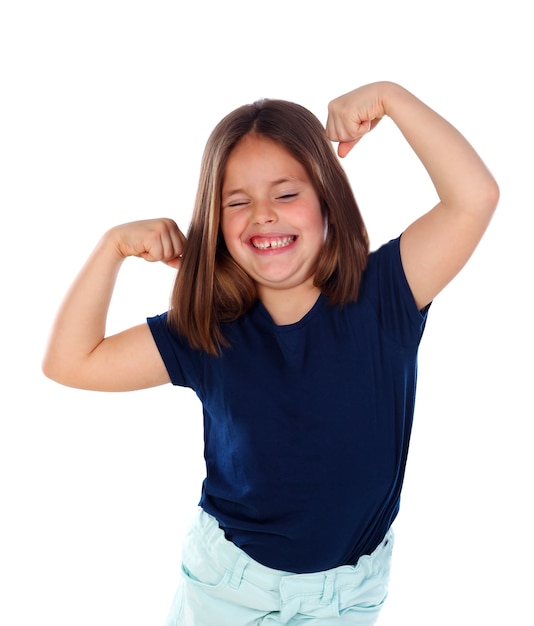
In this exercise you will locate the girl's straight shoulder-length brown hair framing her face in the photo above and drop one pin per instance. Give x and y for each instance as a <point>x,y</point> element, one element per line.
<point>210,288</point>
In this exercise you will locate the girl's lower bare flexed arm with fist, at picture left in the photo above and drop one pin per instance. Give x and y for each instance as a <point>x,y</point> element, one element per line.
<point>79,354</point>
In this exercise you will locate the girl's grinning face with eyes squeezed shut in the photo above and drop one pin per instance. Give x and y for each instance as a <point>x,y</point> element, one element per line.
<point>271,220</point>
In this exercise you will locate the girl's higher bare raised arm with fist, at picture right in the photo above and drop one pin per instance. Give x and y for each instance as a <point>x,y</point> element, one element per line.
<point>437,245</point>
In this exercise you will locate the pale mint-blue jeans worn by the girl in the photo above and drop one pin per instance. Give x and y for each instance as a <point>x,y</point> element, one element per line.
<point>222,586</point>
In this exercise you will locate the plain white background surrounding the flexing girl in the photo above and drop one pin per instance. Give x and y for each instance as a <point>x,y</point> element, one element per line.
<point>104,110</point>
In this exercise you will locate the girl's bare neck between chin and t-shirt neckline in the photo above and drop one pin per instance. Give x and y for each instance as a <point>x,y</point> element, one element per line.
<point>288,306</point>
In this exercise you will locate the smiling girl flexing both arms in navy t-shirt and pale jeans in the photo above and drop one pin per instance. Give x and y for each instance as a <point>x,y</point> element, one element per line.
<point>300,344</point>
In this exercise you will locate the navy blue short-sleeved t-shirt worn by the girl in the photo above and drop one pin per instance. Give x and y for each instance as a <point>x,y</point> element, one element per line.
<point>307,426</point>
